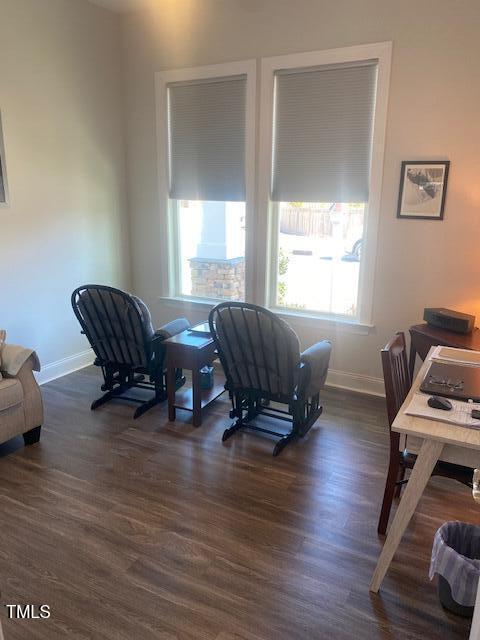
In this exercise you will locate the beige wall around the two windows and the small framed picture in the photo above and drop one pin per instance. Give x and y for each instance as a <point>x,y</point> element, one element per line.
<point>433,114</point>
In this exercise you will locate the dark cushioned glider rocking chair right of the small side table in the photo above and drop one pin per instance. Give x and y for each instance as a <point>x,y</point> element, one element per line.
<point>261,358</point>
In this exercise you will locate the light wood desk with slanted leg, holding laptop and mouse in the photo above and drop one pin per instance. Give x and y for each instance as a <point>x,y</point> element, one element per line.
<point>439,440</point>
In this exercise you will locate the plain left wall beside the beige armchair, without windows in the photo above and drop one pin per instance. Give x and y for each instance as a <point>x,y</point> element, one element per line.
<point>60,99</point>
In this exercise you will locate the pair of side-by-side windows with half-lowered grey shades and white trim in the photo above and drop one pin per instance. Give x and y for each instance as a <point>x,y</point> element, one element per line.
<point>304,241</point>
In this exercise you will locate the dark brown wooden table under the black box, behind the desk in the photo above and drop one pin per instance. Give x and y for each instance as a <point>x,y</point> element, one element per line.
<point>423,336</point>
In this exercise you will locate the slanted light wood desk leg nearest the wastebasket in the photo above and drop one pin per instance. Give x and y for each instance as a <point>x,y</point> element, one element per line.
<point>421,472</point>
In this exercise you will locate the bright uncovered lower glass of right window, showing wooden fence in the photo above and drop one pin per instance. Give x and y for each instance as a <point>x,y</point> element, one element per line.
<point>318,257</point>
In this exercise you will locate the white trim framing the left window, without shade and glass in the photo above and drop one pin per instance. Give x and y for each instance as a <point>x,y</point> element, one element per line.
<point>169,248</point>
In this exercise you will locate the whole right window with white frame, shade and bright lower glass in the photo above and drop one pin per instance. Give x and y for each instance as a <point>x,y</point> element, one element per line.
<point>323,117</point>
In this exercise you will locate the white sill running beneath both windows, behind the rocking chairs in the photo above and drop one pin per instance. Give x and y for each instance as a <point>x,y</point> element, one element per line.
<point>295,317</point>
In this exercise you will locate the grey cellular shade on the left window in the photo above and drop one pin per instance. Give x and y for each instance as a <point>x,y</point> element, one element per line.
<point>206,123</point>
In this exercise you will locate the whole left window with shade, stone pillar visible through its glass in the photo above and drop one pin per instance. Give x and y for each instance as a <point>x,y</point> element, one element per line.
<point>208,120</point>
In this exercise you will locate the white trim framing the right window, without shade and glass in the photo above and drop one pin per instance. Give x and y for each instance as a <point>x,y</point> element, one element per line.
<point>266,260</point>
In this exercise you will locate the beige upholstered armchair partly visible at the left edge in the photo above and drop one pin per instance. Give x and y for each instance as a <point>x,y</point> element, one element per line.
<point>21,408</point>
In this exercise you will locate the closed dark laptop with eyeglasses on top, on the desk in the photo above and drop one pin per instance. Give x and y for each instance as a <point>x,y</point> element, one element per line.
<point>452,381</point>
